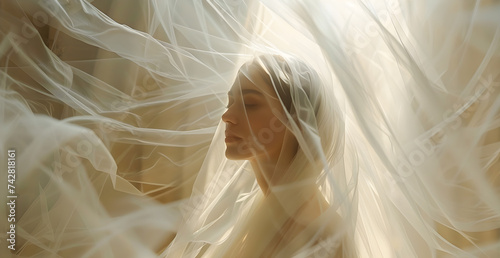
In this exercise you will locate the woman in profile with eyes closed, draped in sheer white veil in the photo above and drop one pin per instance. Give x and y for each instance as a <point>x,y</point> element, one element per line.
<point>275,120</point>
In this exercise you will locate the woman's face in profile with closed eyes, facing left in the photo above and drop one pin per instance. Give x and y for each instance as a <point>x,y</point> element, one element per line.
<point>252,128</point>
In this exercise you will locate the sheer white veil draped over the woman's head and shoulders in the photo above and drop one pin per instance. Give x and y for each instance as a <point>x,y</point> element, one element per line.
<point>226,197</point>
